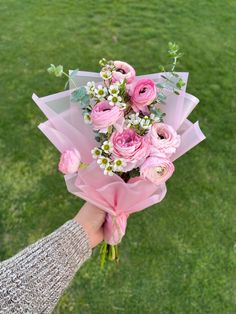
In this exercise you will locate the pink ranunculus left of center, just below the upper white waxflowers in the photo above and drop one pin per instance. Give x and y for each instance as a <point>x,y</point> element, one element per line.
<point>104,115</point>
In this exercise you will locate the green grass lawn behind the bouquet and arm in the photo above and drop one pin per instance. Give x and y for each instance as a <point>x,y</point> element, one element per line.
<point>179,256</point>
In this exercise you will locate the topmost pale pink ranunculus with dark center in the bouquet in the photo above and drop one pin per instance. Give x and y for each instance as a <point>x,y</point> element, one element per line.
<point>123,71</point>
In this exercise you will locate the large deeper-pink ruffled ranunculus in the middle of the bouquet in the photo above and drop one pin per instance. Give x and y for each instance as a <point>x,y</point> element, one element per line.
<point>130,146</point>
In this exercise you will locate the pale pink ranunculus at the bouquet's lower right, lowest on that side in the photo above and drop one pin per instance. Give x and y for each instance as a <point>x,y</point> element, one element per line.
<point>157,169</point>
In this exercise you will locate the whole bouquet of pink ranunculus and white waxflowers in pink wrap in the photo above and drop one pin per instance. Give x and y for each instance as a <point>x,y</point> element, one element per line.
<point>119,135</point>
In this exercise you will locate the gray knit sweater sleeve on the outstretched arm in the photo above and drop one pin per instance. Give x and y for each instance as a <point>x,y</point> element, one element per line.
<point>33,280</point>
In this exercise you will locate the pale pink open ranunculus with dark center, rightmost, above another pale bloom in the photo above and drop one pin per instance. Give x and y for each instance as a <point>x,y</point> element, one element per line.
<point>164,139</point>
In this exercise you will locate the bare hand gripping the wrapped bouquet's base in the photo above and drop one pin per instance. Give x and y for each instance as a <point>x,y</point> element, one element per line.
<point>91,218</point>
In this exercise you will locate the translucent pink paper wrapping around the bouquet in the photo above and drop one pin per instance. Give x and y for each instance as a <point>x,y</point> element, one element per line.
<point>66,129</point>
